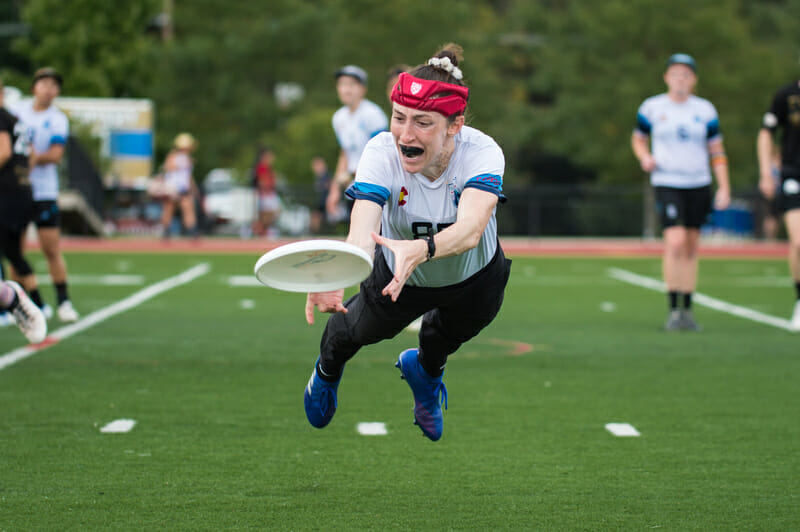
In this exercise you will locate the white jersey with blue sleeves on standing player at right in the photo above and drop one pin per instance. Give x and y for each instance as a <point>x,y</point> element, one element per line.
<point>680,134</point>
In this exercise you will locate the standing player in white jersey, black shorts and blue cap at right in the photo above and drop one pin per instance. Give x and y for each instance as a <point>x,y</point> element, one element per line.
<point>683,130</point>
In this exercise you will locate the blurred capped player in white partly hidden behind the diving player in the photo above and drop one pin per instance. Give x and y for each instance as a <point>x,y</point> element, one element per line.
<point>357,121</point>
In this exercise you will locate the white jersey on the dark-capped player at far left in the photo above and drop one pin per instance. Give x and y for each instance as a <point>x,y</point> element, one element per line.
<point>44,128</point>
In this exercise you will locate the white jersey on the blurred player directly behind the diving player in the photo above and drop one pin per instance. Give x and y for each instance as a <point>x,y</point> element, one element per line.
<point>354,129</point>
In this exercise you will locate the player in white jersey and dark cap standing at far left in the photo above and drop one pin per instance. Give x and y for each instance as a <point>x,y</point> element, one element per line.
<point>48,129</point>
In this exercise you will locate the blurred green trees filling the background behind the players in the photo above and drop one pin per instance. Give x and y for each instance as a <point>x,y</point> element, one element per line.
<point>551,80</point>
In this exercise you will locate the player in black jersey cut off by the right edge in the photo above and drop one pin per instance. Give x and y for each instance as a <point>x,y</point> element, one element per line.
<point>784,114</point>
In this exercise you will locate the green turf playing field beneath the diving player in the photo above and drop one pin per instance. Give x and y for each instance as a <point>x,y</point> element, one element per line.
<point>212,372</point>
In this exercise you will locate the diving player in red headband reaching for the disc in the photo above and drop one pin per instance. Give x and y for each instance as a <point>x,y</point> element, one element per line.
<point>426,194</point>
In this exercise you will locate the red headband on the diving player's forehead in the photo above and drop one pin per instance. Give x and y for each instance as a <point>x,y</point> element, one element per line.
<point>418,94</point>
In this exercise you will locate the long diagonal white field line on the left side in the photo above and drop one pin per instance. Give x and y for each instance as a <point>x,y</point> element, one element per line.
<point>99,316</point>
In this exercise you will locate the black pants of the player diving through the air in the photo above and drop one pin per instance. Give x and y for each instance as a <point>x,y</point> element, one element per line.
<point>452,314</point>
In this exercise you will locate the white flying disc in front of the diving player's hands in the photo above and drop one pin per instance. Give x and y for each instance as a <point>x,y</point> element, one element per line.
<point>313,266</point>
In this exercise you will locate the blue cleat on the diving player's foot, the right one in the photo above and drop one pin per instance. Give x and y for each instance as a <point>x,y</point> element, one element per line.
<point>429,394</point>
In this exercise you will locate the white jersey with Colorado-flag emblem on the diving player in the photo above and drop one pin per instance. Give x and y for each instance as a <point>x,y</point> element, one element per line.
<point>414,206</point>
